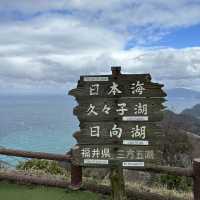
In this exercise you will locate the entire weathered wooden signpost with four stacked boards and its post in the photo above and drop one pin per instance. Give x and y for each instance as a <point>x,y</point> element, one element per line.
<point>118,115</point>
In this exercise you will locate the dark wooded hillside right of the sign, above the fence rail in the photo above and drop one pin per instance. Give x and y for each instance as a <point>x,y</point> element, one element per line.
<point>180,143</point>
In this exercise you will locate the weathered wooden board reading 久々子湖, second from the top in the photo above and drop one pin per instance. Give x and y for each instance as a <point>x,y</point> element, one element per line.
<point>123,109</point>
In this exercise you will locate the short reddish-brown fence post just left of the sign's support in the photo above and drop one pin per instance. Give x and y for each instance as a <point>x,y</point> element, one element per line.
<point>76,177</point>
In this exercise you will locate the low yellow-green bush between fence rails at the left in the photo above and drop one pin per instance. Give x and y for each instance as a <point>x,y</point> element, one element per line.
<point>49,167</point>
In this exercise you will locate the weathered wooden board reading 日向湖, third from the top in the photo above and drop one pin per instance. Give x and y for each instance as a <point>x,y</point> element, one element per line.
<point>126,133</point>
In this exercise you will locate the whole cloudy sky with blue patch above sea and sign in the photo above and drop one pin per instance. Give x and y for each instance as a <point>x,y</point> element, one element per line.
<point>46,44</point>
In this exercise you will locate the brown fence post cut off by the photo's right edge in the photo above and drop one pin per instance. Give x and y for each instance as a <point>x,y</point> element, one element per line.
<point>196,178</point>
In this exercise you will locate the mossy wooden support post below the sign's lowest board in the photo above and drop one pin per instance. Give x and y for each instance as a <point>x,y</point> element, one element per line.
<point>117,184</point>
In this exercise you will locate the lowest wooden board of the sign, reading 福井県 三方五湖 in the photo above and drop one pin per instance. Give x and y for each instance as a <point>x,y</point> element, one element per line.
<point>109,155</point>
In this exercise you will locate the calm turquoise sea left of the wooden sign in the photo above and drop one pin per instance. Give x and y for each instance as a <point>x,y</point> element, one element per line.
<point>37,123</point>
